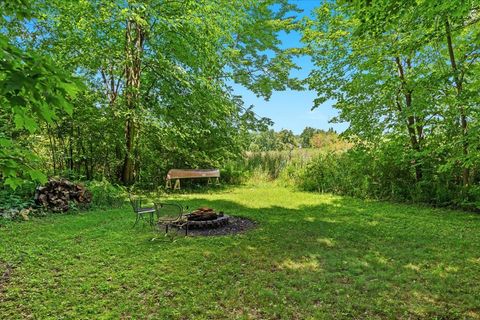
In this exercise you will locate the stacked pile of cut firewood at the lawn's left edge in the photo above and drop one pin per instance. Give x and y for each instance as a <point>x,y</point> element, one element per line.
<point>59,195</point>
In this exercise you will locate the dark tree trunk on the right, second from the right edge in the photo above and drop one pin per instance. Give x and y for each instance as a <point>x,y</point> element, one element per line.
<point>414,128</point>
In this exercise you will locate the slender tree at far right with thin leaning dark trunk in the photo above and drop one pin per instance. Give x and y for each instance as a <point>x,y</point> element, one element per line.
<point>451,27</point>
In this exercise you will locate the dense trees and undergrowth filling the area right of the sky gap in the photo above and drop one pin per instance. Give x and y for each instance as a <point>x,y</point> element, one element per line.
<point>405,75</point>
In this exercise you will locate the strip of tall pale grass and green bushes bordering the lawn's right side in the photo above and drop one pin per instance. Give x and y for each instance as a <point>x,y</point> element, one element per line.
<point>359,173</point>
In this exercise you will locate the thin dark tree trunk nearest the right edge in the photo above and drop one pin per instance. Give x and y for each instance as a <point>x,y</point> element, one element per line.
<point>459,89</point>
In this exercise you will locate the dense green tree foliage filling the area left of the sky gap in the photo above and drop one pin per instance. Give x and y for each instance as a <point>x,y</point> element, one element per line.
<point>156,80</point>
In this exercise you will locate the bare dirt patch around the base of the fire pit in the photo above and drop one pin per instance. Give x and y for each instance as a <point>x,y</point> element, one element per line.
<point>235,225</point>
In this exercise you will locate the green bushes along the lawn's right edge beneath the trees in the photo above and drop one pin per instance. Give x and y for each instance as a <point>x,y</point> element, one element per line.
<point>381,174</point>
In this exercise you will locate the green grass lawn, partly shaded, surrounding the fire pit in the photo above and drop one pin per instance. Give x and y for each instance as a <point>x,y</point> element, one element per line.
<point>311,257</point>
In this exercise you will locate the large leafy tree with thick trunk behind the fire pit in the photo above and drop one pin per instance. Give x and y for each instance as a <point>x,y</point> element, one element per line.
<point>157,62</point>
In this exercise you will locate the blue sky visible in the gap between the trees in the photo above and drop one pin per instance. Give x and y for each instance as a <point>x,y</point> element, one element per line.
<point>292,109</point>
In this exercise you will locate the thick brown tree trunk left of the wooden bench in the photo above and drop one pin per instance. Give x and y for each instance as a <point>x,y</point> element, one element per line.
<point>135,37</point>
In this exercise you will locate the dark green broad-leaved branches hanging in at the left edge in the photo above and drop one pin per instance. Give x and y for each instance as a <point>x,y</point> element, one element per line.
<point>32,90</point>
